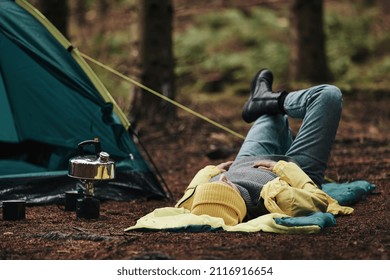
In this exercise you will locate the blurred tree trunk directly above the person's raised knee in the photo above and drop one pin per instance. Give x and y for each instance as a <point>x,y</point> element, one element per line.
<point>308,55</point>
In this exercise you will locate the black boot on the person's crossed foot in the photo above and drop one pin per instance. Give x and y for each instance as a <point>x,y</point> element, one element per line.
<point>262,100</point>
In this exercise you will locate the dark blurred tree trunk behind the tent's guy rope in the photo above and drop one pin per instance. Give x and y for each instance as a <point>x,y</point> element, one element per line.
<point>155,60</point>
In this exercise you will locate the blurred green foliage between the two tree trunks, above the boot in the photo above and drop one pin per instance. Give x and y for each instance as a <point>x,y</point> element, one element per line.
<point>231,46</point>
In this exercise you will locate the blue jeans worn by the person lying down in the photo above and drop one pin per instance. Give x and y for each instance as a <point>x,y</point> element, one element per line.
<point>320,109</point>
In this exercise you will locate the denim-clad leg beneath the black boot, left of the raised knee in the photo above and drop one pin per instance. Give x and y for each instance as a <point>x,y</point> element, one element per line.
<point>269,135</point>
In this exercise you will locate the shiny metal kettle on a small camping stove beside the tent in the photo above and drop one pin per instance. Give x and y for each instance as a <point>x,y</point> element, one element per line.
<point>89,169</point>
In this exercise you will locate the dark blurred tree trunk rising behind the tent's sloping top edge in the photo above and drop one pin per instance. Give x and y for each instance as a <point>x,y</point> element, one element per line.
<point>57,13</point>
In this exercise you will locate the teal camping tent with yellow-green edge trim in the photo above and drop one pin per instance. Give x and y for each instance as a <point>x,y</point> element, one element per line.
<point>50,101</point>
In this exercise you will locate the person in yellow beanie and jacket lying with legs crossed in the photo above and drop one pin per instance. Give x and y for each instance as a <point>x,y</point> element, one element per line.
<point>273,172</point>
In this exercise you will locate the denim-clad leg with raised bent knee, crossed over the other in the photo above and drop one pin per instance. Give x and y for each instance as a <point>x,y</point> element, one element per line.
<point>320,108</point>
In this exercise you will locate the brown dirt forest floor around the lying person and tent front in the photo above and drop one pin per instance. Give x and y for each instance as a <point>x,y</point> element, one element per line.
<point>361,151</point>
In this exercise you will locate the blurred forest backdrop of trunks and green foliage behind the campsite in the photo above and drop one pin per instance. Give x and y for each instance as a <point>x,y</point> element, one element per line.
<point>183,48</point>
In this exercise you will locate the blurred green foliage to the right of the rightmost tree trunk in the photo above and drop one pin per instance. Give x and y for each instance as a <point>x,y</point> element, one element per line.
<point>355,51</point>
